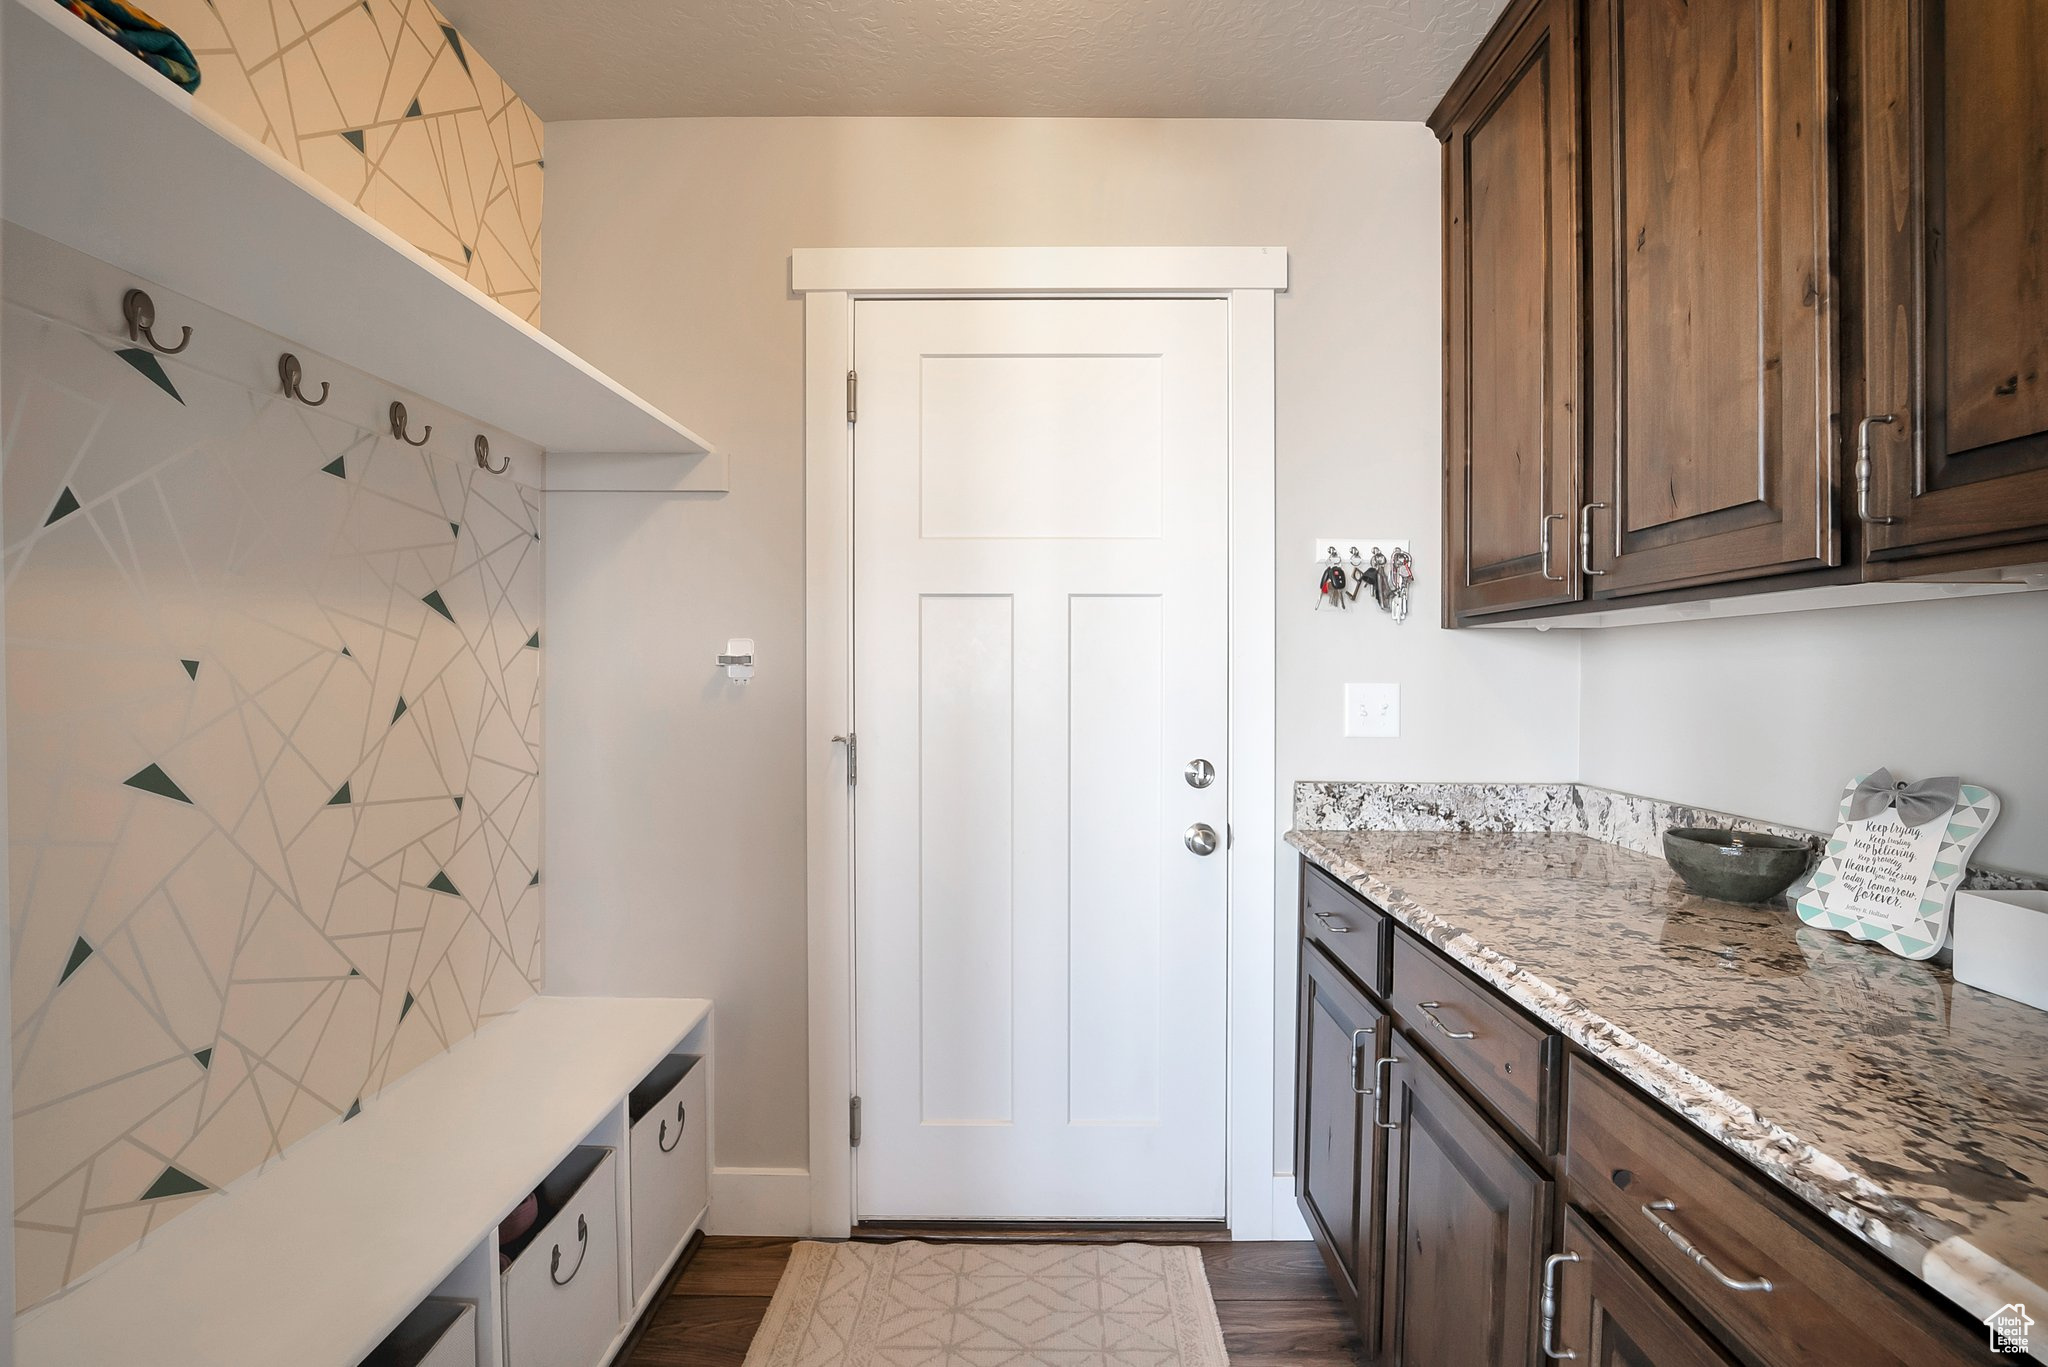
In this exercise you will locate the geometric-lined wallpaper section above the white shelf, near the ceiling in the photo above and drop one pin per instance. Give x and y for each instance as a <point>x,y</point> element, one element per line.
<point>386,106</point>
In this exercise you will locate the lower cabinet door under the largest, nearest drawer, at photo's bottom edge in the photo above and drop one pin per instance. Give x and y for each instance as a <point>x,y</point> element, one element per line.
<point>1611,1317</point>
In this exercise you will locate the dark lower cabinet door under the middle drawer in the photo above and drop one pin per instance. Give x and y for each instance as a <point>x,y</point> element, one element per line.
<point>1465,1229</point>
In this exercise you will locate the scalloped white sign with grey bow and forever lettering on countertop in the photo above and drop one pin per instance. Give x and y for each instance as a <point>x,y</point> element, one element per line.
<point>1897,858</point>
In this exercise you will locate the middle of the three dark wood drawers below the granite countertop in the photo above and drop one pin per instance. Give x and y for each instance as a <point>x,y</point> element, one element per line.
<point>1500,1057</point>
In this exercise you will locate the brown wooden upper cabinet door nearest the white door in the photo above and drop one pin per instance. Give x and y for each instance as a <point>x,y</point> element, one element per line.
<point>1512,315</point>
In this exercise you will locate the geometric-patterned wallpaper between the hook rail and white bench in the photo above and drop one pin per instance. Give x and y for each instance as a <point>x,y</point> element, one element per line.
<point>273,720</point>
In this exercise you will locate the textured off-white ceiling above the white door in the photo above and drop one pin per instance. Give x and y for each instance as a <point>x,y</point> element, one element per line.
<point>1076,58</point>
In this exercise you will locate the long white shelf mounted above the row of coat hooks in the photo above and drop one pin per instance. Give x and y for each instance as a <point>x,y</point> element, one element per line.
<point>108,157</point>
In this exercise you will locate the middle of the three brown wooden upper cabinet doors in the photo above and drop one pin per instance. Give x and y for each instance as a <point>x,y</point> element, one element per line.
<point>1713,341</point>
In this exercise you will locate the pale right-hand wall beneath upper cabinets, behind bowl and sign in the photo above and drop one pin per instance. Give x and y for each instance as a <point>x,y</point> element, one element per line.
<point>1809,700</point>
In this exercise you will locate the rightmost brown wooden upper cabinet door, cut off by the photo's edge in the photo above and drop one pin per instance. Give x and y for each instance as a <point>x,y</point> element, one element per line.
<point>1955,222</point>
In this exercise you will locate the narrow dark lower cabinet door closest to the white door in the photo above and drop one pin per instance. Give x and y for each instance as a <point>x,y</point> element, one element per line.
<point>1338,1157</point>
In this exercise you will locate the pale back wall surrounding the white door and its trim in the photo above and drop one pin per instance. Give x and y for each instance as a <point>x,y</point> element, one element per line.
<point>675,802</point>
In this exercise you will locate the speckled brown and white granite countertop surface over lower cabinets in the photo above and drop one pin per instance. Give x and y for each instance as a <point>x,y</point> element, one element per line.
<point>1904,1106</point>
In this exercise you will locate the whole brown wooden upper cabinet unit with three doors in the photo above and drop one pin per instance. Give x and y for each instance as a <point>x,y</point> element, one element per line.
<point>1744,298</point>
